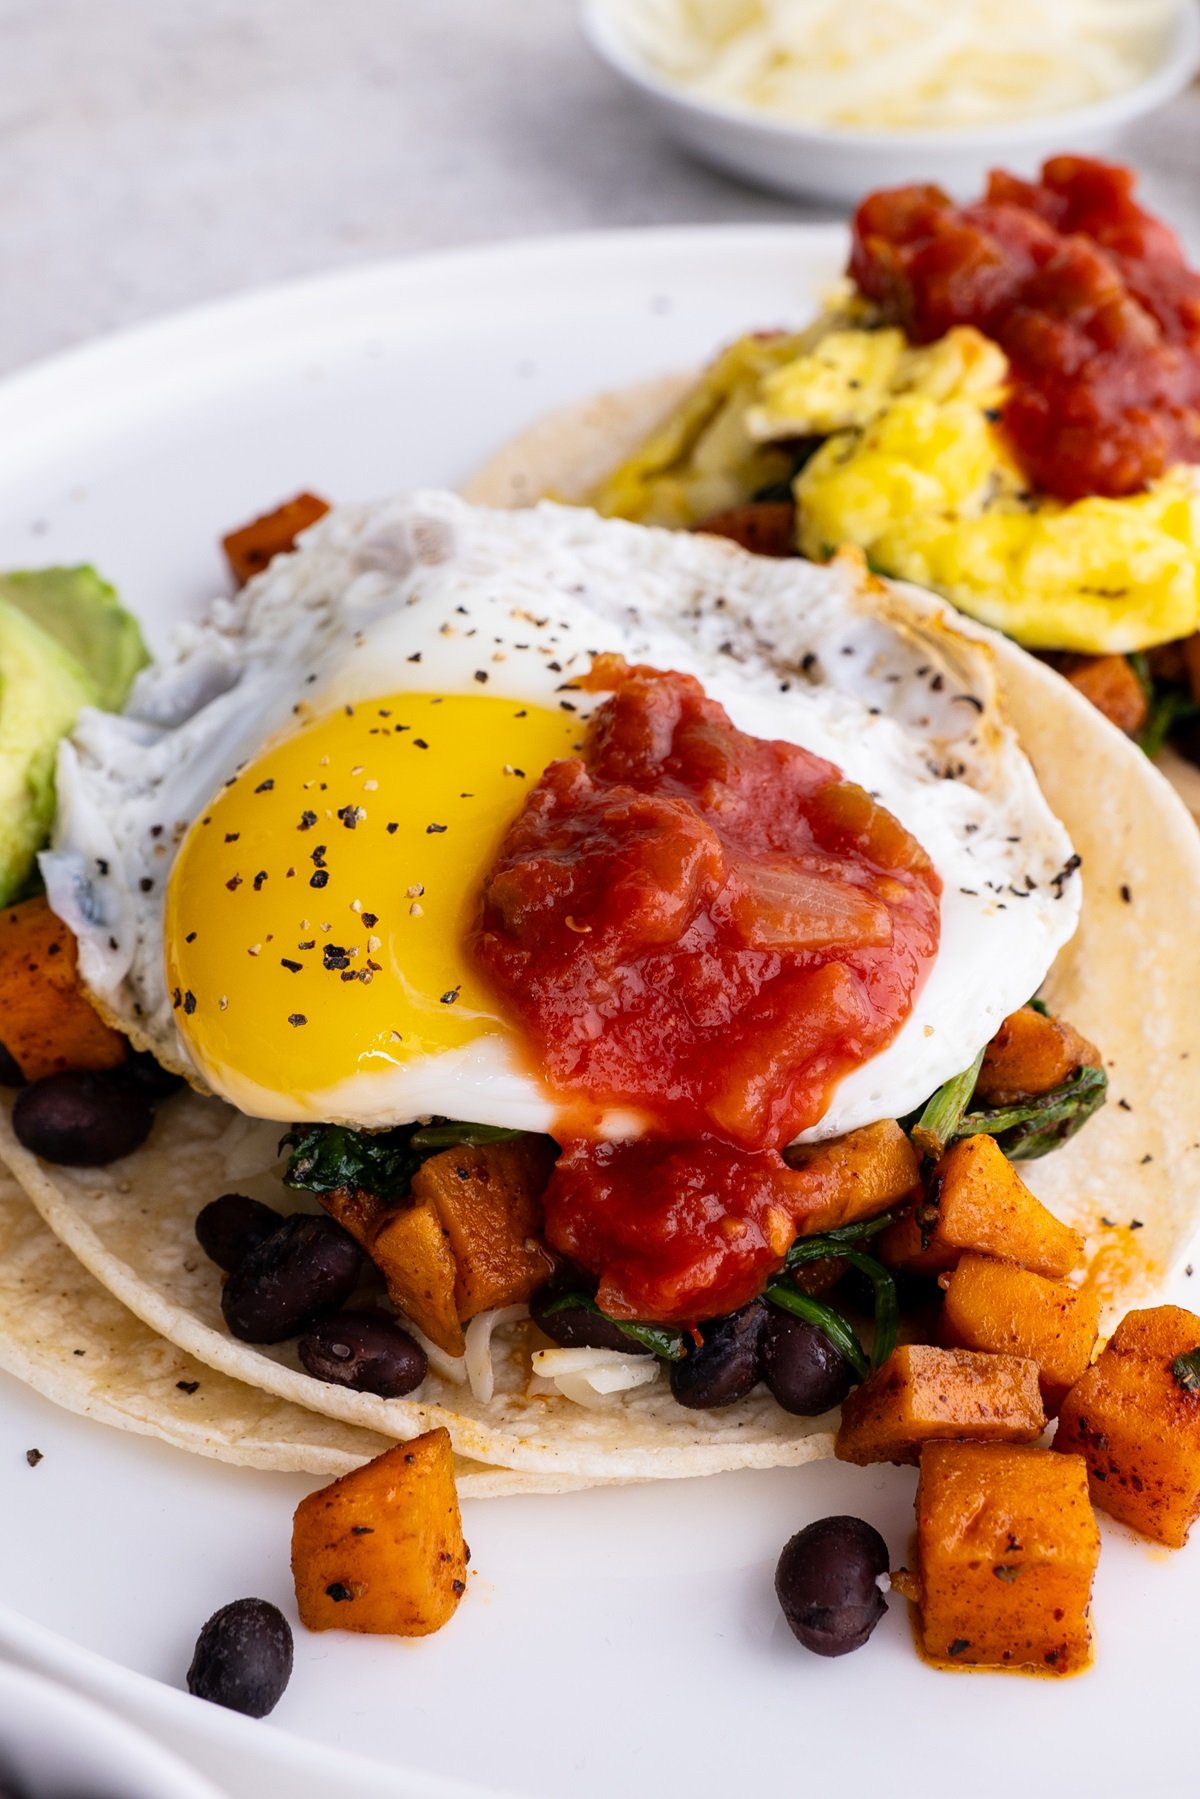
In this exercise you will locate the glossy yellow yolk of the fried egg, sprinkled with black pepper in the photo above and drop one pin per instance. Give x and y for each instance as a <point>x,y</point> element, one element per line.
<point>318,911</point>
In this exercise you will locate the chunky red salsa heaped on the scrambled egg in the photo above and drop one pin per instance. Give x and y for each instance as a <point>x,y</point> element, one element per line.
<point>1088,296</point>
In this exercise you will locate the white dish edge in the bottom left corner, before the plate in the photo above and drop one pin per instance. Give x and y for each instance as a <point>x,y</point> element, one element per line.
<point>58,1746</point>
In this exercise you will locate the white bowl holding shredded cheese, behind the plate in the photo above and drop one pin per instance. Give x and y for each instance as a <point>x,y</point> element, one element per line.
<point>846,165</point>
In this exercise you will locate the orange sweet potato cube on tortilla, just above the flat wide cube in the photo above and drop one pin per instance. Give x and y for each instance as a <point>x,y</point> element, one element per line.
<point>1007,1311</point>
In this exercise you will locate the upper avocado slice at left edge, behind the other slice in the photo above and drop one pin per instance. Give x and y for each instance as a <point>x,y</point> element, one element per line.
<point>87,620</point>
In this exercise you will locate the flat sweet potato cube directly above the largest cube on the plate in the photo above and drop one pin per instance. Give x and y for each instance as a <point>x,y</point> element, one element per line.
<point>922,1393</point>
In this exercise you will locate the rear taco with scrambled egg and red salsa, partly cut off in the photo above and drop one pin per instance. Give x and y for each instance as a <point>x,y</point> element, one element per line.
<point>1001,404</point>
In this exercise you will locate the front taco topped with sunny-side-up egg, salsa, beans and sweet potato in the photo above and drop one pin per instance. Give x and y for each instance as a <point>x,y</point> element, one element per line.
<point>584,985</point>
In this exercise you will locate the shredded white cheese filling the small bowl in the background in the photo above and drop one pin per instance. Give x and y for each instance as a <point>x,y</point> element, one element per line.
<point>899,64</point>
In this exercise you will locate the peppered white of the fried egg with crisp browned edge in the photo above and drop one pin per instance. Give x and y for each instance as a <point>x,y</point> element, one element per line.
<point>879,679</point>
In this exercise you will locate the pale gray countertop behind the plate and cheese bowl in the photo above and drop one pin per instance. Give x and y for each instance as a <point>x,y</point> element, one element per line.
<point>156,154</point>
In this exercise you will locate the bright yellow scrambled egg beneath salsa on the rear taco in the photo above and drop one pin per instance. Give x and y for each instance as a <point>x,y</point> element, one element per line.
<point>917,472</point>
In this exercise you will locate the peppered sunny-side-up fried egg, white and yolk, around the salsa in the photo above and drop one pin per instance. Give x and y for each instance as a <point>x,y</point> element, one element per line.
<point>273,859</point>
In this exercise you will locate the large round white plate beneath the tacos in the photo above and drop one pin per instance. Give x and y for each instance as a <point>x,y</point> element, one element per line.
<point>613,1643</point>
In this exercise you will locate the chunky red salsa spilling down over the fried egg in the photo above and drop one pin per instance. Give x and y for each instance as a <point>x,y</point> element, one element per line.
<point>710,931</point>
